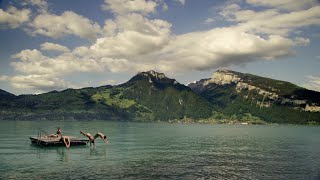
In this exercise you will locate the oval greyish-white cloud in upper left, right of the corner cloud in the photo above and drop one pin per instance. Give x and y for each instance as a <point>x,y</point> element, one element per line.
<point>69,23</point>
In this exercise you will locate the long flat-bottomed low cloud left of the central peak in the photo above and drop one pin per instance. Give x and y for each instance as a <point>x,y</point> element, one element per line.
<point>33,62</point>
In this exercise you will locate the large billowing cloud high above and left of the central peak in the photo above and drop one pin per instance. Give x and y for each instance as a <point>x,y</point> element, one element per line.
<point>133,35</point>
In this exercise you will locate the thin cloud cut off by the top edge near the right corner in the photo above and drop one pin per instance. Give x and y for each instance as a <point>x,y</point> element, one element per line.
<point>285,4</point>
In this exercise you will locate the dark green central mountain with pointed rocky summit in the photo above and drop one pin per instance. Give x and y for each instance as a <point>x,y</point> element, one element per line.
<point>165,97</point>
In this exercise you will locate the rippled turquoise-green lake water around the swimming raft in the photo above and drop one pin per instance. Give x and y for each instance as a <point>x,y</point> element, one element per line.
<point>162,151</point>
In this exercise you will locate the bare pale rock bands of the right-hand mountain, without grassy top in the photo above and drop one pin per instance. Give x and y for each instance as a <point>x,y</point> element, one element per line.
<point>270,95</point>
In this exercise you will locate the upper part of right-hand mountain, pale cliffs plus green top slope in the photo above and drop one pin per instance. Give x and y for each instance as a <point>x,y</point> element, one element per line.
<point>263,92</point>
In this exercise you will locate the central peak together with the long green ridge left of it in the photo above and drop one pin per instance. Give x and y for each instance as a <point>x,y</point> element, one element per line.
<point>147,96</point>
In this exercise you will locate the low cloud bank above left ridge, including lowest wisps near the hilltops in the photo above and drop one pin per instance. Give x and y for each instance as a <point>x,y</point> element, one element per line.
<point>42,73</point>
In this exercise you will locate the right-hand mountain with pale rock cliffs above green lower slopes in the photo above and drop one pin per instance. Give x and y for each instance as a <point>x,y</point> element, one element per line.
<point>239,96</point>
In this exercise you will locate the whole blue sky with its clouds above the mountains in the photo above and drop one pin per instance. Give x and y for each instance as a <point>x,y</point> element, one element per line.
<point>55,45</point>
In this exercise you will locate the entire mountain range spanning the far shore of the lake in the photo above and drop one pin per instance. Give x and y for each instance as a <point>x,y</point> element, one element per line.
<point>227,96</point>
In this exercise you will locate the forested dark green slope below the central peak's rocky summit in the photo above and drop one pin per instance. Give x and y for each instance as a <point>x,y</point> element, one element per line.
<point>168,102</point>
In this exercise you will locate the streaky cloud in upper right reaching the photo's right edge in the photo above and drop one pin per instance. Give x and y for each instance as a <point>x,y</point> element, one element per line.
<point>271,21</point>
